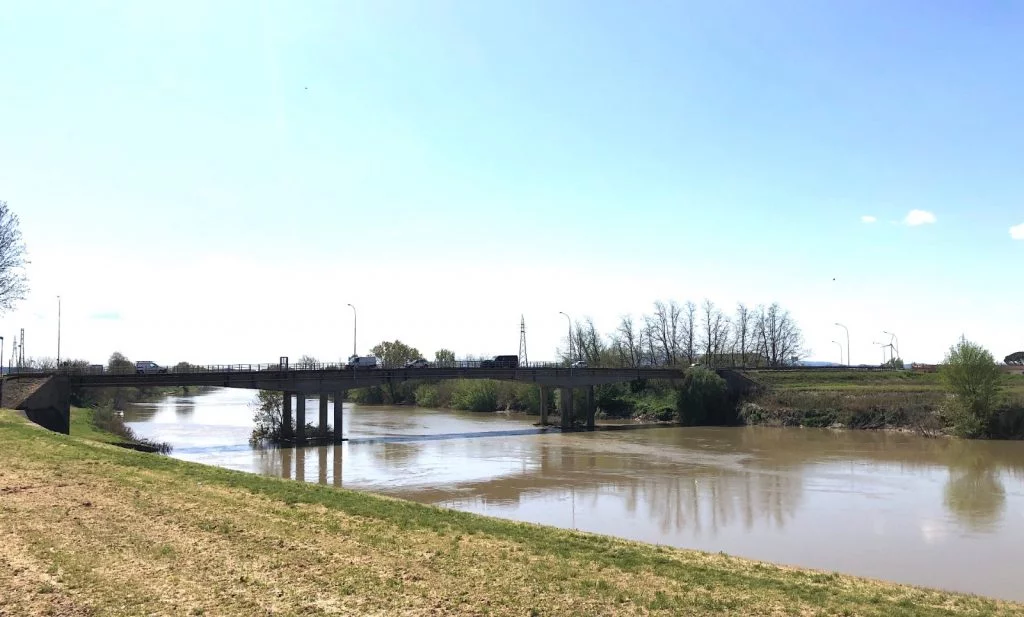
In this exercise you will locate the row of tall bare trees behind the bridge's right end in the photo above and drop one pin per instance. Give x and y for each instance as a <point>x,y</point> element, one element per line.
<point>682,335</point>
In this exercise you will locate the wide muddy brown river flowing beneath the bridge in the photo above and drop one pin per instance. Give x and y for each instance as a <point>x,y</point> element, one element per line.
<point>938,513</point>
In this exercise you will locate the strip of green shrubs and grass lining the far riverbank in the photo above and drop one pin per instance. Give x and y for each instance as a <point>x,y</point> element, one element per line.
<point>899,400</point>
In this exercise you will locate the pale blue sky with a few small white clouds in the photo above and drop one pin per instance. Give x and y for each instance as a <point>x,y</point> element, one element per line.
<point>216,183</point>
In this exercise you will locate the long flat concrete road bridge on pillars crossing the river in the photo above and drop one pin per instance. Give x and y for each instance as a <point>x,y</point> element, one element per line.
<point>333,381</point>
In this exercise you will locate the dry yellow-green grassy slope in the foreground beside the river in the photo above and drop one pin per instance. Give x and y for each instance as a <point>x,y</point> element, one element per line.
<point>92,530</point>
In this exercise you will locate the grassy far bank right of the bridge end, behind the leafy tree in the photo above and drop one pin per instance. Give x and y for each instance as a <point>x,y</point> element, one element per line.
<point>869,401</point>
